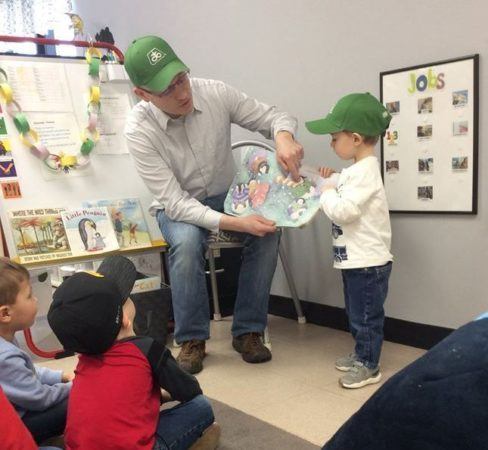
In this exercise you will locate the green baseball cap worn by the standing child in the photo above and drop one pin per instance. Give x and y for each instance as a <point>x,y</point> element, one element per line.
<point>358,113</point>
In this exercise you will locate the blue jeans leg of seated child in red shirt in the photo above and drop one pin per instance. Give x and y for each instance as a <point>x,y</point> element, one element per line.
<point>181,426</point>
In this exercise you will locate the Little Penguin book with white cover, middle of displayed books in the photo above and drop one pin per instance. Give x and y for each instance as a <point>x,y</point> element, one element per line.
<point>89,231</point>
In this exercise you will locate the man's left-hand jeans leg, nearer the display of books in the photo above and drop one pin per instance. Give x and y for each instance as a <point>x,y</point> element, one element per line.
<point>186,261</point>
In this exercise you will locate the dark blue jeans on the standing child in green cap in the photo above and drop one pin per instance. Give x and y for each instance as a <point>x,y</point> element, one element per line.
<point>365,293</point>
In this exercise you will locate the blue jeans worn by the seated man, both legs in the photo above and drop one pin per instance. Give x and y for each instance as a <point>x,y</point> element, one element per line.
<point>188,244</point>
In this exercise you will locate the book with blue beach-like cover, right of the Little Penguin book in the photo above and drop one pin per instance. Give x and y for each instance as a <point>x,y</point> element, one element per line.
<point>128,221</point>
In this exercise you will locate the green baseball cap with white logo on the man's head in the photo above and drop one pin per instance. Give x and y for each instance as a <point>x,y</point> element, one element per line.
<point>152,64</point>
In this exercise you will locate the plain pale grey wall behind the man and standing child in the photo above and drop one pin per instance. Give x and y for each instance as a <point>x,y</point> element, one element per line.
<point>304,55</point>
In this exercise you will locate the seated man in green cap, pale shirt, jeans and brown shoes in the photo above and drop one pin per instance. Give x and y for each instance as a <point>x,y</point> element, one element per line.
<point>180,137</point>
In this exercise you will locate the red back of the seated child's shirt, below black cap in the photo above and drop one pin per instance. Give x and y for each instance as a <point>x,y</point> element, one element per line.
<point>114,402</point>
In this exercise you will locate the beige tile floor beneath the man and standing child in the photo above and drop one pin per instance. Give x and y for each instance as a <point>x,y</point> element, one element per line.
<point>298,390</point>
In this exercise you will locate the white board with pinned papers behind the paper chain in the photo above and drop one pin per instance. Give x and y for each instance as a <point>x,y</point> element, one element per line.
<point>53,93</point>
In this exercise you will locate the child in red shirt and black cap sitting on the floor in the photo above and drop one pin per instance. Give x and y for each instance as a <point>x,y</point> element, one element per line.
<point>116,395</point>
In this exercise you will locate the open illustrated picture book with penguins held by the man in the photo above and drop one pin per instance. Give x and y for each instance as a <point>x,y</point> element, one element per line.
<point>260,187</point>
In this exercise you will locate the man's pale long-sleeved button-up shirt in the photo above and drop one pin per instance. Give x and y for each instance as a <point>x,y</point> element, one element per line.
<point>188,159</point>
